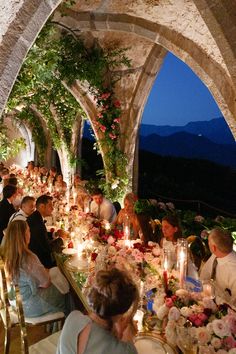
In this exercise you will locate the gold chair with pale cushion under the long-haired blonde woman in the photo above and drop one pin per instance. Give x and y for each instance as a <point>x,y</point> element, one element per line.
<point>13,315</point>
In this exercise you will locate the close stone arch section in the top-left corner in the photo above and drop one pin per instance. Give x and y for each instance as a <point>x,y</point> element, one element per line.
<point>24,20</point>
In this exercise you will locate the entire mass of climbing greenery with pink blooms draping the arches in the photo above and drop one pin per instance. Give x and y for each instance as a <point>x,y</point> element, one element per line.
<point>58,58</point>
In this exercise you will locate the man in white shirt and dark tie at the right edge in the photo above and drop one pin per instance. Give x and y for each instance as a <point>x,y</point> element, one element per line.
<point>221,266</point>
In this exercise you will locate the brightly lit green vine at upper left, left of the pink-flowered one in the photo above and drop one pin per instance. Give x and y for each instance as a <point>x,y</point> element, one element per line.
<point>39,86</point>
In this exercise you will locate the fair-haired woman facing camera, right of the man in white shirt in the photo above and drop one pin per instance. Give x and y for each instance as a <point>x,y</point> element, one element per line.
<point>128,213</point>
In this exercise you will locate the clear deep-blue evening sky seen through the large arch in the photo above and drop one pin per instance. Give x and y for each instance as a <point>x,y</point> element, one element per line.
<point>178,96</point>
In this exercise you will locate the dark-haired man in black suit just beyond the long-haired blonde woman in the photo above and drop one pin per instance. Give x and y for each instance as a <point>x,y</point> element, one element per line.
<point>40,242</point>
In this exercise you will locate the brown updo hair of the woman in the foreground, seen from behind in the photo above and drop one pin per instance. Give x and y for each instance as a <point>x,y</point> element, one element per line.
<point>112,294</point>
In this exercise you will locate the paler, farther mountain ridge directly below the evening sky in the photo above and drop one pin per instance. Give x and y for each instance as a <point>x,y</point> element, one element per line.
<point>215,130</point>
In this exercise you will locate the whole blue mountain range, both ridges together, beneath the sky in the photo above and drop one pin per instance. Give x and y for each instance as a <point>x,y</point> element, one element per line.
<point>209,140</point>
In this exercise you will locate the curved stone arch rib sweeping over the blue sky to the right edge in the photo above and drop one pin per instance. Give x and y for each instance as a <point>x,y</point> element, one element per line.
<point>209,71</point>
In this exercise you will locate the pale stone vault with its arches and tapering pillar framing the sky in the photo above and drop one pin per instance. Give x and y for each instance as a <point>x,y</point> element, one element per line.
<point>198,32</point>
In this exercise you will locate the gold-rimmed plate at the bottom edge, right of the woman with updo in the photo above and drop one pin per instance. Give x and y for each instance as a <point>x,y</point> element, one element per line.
<point>152,344</point>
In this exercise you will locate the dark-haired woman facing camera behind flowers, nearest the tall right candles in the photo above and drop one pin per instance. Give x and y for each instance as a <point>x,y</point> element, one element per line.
<point>171,231</point>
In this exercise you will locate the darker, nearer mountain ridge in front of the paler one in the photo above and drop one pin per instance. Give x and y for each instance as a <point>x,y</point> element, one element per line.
<point>187,145</point>
